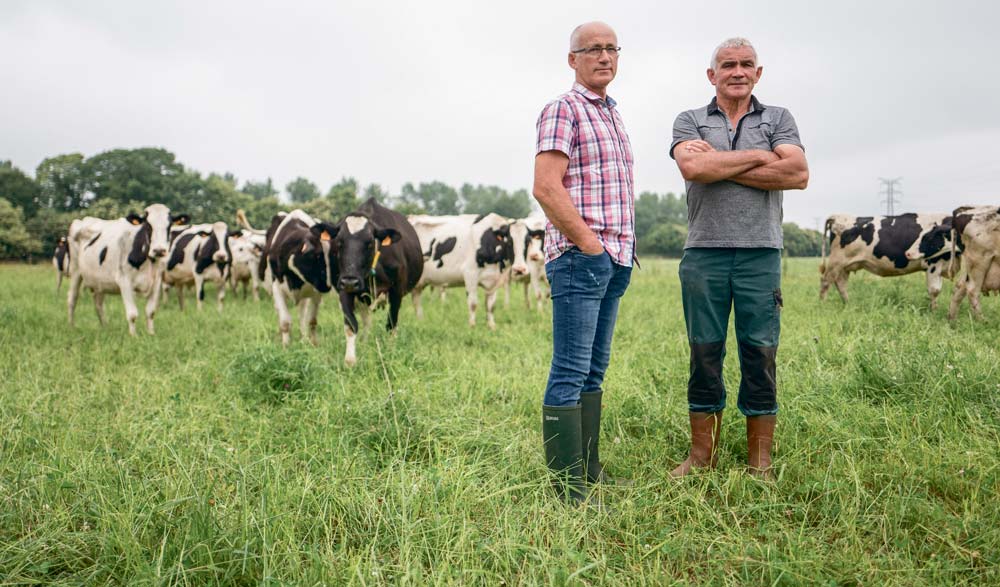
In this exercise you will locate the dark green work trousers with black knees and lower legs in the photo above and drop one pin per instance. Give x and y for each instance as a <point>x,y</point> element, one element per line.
<point>748,281</point>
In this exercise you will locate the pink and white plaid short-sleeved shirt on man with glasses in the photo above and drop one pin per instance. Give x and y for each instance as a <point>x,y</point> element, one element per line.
<point>599,178</point>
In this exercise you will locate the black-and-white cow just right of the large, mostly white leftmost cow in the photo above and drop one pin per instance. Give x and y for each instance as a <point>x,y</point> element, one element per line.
<point>198,254</point>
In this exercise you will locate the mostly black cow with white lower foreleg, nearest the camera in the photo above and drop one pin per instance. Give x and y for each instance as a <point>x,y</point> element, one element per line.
<point>378,253</point>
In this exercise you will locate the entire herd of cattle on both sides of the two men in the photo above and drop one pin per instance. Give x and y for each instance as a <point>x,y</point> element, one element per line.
<point>375,255</point>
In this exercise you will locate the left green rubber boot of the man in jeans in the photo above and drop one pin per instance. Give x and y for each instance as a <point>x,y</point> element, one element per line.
<point>561,434</point>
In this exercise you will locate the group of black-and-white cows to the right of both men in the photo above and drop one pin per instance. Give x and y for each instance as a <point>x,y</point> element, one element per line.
<point>964,245</point>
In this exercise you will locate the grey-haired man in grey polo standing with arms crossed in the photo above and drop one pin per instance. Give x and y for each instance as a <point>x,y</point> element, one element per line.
<point>736,155</point>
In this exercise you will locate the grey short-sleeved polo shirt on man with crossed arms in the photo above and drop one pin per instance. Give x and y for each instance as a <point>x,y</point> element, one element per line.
<point>725,213</point>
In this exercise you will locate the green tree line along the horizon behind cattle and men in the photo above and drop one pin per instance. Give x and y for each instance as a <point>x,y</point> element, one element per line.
<point>36,211</point>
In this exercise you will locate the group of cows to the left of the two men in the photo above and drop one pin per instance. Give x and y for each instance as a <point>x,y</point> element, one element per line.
<point>373,256</point>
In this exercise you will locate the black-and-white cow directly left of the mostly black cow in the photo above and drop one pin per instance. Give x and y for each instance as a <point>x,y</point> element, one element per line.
<point>299,256</point>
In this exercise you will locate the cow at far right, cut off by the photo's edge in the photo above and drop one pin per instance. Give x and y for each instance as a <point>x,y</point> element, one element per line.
<point>977,230</point>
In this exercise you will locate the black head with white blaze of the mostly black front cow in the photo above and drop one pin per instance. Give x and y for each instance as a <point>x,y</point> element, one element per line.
<point>358,243</point>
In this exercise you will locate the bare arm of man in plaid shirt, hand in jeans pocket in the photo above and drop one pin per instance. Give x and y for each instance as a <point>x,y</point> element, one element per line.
<point>552,196</point>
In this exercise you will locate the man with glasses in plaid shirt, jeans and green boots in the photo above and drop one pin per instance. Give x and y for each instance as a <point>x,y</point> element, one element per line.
<point>583,182</point>
